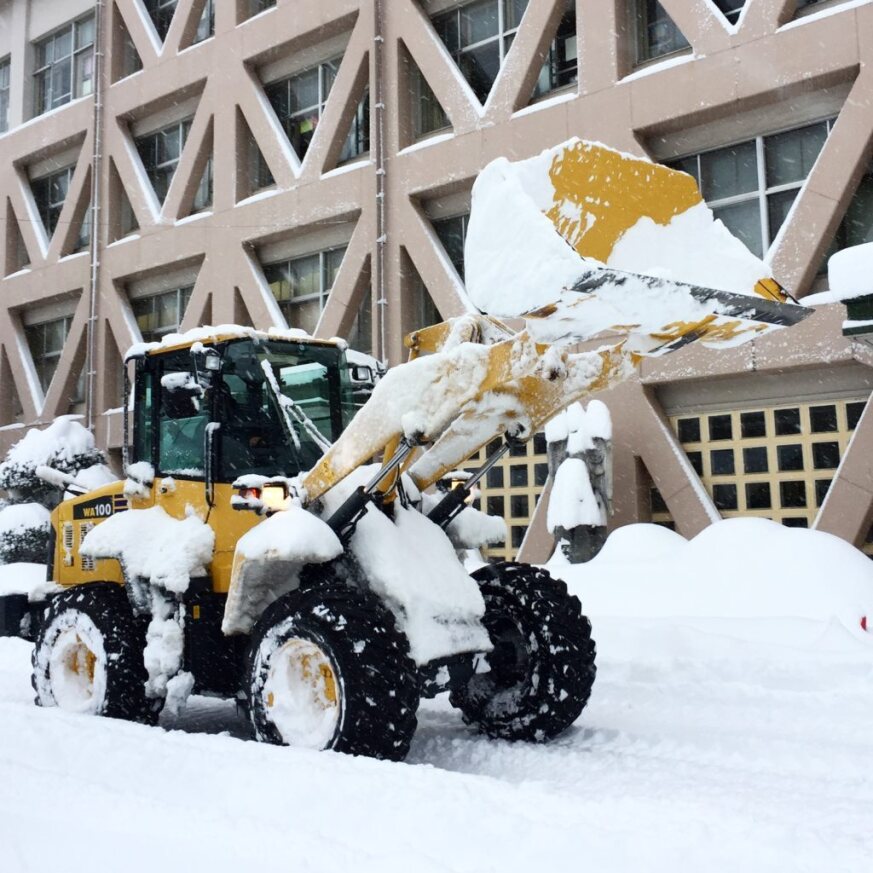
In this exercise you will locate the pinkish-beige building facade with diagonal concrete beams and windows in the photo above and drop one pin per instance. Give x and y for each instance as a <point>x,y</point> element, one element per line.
<point>171,163</point>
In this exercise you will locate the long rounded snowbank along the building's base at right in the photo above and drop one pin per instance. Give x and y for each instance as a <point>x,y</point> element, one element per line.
<point>738,568</point>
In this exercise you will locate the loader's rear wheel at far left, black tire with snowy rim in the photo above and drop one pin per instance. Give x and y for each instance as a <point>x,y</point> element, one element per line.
<point>99,616</point>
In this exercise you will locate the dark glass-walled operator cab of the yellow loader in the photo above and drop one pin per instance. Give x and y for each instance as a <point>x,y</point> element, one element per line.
<point>243,406</point>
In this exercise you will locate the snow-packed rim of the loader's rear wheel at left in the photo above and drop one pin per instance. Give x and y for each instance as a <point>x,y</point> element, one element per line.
<point>76,667</point>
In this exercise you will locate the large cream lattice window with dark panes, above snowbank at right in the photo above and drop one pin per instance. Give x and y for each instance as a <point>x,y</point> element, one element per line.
<point>775,462</point>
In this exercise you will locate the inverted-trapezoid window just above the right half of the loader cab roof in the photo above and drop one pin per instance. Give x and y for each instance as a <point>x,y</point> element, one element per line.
<point>301,286</point>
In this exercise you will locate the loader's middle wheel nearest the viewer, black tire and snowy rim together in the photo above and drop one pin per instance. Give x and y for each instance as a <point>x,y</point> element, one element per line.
<point>328,669</point>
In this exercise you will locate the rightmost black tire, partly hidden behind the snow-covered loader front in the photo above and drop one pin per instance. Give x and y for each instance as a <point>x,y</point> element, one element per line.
<point>541,671</point>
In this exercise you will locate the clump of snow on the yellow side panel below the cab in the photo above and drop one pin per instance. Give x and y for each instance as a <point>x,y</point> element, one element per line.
<point>153,546</point>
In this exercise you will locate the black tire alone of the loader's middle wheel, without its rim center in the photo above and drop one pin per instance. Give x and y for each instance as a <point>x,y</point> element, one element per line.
<point>375,682</point>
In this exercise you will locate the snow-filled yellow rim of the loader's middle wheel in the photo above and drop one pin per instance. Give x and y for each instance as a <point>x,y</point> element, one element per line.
<point>301,696</point>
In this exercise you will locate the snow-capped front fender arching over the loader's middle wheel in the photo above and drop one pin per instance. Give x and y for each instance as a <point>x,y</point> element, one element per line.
<point>268,561</point>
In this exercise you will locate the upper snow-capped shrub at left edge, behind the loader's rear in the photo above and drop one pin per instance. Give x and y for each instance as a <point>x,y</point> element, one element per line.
<point>64,445</point>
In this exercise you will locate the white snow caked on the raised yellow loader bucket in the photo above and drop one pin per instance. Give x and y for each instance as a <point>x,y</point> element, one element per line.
<point>516,260</point>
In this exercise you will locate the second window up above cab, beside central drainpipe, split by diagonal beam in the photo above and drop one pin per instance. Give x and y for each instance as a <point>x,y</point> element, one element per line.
<point>299,103</point>
